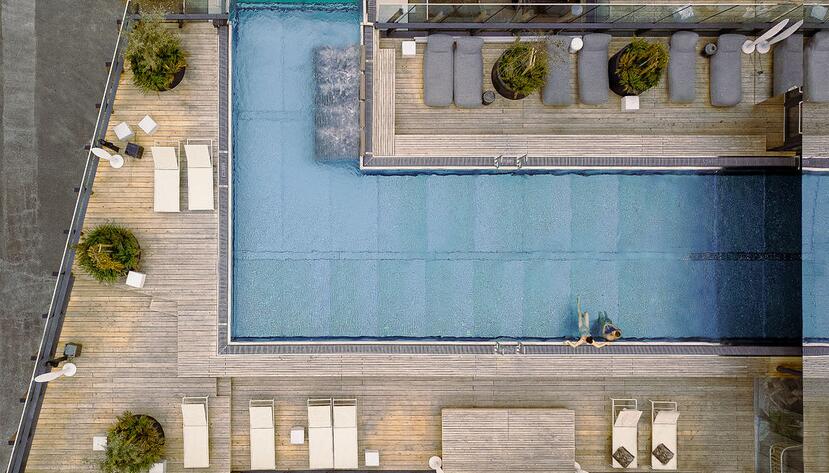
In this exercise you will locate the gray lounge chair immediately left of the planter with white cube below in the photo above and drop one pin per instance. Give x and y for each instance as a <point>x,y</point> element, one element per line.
<point>593,80</point>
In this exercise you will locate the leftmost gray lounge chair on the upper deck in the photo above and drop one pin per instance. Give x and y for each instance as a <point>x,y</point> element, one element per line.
<point>437,71</point>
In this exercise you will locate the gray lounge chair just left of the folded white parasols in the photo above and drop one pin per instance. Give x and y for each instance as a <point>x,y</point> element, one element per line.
<point>726,75</point>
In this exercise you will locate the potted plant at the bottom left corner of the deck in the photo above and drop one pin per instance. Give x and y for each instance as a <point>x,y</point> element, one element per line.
<point>134,443</point>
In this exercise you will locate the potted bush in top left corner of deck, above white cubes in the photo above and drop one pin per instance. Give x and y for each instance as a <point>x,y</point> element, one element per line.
<point>155,56</point>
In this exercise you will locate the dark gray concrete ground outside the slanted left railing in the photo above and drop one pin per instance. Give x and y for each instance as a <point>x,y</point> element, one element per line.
<point>53,72</point>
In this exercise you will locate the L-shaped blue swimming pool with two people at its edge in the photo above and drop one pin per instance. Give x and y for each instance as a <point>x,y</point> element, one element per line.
<point>322,251</point>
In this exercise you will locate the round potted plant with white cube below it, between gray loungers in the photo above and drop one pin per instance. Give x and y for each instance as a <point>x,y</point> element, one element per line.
<point>637,67</point>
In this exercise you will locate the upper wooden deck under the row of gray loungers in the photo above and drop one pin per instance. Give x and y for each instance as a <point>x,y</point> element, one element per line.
<point>658,129</point>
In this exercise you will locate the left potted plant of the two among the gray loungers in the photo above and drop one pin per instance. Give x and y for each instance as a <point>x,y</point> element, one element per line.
<point>520,70</point>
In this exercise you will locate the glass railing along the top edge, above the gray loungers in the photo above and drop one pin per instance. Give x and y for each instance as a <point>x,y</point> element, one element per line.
<point>501,12</point>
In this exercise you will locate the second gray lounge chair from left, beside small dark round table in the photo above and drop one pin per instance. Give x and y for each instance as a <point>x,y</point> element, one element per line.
<point>469,72</point>
